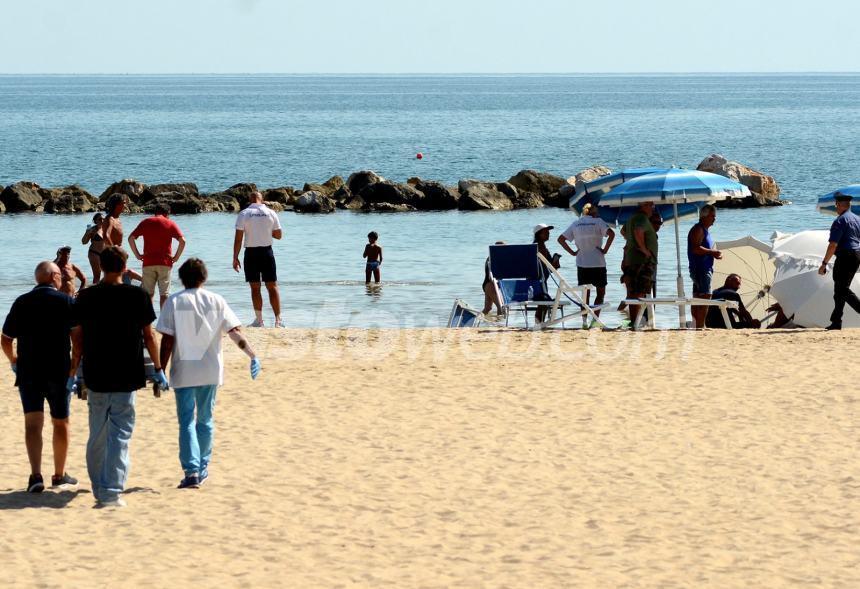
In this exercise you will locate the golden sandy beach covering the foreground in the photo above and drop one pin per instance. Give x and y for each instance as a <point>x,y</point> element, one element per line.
<point>443,458</point>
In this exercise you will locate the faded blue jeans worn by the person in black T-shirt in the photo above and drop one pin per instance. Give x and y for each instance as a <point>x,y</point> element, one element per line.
<point>111,426</point>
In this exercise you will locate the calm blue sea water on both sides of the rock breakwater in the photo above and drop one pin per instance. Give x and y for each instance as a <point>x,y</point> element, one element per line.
<point>277,130</point>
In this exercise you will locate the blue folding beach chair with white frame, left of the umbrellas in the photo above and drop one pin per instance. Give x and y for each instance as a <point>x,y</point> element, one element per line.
<point>515,269</point>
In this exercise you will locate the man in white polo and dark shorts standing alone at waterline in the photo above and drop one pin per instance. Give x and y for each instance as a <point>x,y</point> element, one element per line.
<point>258,225</point>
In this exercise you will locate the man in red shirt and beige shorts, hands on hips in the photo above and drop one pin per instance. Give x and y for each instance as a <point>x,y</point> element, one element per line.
<point>158,233</point>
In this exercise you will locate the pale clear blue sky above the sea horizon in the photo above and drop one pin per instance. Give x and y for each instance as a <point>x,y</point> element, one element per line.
<point>430,36</point>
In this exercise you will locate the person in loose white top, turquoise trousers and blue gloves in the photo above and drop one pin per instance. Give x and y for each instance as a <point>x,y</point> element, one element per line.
<point>191,324</point>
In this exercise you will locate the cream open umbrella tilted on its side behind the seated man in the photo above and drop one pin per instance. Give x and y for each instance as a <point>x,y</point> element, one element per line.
<point>750,259</point>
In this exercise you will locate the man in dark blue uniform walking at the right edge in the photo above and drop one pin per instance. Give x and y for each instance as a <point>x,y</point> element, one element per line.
<point>845,244</point>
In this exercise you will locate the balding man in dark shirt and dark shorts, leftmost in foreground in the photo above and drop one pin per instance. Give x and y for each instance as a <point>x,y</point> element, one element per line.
<point>41,321</point>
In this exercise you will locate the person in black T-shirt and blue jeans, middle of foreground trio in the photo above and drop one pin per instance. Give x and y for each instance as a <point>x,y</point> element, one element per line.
<point>114,323</point>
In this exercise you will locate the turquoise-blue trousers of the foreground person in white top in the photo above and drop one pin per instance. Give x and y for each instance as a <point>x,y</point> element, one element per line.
<point>195,435</point>
